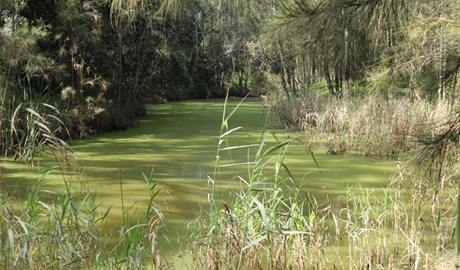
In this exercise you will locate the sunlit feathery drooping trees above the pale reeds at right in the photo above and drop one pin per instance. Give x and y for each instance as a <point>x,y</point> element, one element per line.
<point>394,46</point>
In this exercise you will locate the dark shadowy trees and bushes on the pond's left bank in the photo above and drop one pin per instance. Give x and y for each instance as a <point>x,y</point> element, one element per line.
<point>99,62</point>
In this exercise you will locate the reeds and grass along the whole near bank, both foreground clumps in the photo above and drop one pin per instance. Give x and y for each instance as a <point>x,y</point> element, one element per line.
<point>271,223</point>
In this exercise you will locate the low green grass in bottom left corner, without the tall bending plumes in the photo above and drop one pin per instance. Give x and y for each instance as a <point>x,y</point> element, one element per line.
<point>71,231</point>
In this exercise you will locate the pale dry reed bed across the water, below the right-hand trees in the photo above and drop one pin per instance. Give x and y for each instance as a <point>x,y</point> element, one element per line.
<point>372,125</point>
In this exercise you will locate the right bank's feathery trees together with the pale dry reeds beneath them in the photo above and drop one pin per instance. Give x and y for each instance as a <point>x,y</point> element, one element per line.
<point>391,104</point>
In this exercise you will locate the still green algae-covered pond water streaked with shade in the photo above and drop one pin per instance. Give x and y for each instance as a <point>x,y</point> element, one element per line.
<point>179,141</point>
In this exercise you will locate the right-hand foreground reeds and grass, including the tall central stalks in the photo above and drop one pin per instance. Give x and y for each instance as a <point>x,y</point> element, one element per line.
<point>274,223</point>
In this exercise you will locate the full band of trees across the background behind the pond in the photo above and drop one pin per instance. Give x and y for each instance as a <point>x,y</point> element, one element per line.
<point>99,62</point>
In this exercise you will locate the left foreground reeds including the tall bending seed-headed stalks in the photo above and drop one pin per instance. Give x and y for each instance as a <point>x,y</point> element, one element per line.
<point>69,229</point>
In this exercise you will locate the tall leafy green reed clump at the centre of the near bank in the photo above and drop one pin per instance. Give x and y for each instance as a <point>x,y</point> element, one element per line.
<point>263,222</point>
